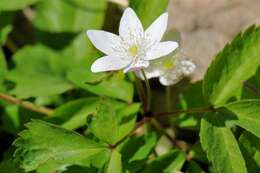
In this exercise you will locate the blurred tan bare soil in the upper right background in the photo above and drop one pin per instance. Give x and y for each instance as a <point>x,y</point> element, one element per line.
<point>207,25</point>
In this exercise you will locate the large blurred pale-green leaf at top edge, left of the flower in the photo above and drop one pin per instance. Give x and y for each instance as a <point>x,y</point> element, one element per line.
<point>65,16</point>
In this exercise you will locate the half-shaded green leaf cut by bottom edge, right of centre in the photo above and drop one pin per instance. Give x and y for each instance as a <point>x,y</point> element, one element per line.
<point>167,163</point>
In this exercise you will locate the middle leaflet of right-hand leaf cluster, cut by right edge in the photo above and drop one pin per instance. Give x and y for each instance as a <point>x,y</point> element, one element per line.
<point>246,114</point>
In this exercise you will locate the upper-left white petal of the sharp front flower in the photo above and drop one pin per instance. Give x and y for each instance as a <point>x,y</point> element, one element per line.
<point>104,41</point>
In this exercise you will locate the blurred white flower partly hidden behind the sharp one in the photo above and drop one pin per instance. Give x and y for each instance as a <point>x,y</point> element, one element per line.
<point>170,69</point>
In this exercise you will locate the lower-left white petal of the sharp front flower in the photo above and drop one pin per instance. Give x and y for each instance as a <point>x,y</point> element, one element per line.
<point>109,63</point>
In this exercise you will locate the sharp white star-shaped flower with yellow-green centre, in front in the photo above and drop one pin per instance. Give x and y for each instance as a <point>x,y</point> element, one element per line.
<point>134,47</point>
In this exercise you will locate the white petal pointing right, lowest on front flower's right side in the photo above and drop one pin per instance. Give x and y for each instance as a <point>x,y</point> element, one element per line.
<point>162,49</point>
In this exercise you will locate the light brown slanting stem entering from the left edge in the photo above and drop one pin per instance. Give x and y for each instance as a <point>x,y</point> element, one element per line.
<point>25,104</point>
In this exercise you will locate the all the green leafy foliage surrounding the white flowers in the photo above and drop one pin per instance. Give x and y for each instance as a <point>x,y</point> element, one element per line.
<point>96,124</point>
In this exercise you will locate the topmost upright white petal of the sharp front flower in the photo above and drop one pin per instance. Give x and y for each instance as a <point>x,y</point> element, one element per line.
<point>130,25</point>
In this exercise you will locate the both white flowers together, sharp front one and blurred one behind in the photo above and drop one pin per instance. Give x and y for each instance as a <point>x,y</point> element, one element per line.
<point>136,49</point>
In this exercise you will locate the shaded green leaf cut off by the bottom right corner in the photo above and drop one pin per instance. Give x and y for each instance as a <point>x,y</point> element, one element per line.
<point>250,148</point>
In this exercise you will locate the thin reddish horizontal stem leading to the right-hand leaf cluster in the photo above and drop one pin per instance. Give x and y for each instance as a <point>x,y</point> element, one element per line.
<point>195,110</point>
